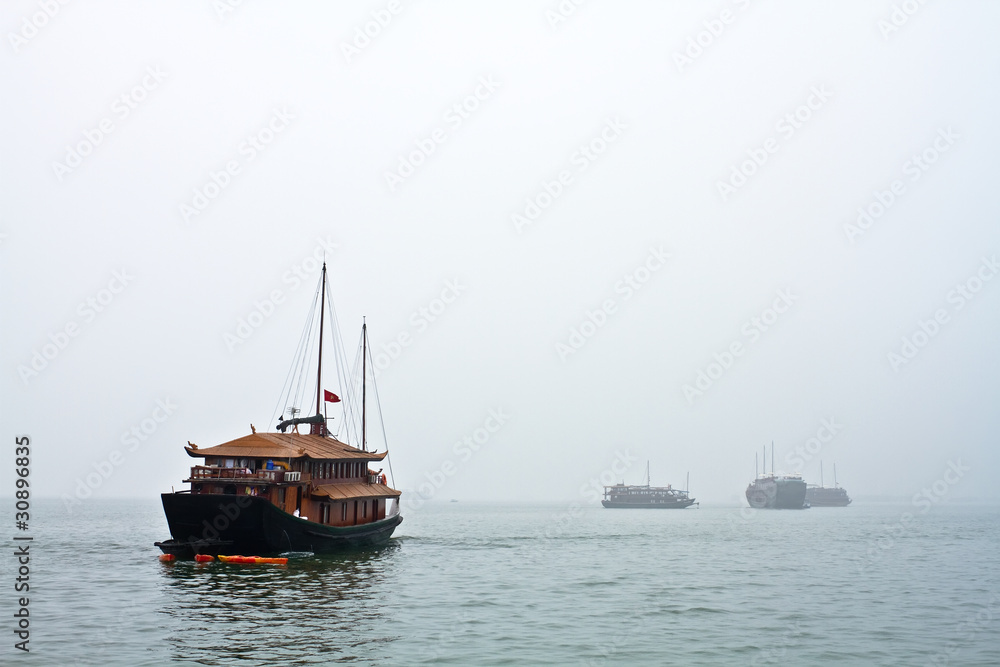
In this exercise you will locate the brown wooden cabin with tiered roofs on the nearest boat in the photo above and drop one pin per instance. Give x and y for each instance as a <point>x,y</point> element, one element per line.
<point>310,476</point>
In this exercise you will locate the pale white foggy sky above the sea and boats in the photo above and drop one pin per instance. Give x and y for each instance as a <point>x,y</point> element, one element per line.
<point>495,346</point>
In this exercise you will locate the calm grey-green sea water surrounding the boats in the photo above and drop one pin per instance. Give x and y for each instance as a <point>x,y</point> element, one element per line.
<point>473,584</point>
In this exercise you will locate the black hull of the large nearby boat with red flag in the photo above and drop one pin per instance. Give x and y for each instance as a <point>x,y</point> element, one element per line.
<point>214,524</point>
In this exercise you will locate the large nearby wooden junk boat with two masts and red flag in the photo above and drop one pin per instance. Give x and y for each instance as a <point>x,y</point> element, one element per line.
<point>268,493</point>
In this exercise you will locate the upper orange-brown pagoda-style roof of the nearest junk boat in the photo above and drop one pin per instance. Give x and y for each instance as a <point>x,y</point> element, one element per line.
<point>284,446</point>
